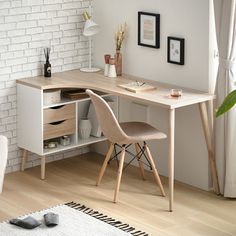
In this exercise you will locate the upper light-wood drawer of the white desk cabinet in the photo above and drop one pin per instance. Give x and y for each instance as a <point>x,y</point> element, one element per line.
<point>59,113</point>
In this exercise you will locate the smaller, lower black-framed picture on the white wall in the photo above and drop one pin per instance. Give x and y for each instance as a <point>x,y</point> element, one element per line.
<point>175,50</point>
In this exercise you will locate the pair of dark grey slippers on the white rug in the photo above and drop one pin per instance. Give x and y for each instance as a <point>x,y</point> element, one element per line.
<point>51,219</point>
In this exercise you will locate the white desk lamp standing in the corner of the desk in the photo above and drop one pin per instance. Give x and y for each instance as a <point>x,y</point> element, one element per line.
<point>90,29</point>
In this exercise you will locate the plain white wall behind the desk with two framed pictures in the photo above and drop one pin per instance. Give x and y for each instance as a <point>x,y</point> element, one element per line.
<point>181,18</point>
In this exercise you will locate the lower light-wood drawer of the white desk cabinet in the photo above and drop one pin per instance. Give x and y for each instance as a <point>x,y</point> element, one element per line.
<point>59,128</point>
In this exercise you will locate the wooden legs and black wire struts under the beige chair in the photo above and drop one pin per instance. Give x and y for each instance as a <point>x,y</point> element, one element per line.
<point>140,152</point>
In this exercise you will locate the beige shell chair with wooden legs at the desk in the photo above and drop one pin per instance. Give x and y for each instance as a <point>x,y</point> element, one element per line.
<point>124,134</point>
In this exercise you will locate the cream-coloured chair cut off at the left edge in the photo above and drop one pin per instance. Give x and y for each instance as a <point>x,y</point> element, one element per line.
<point>3,159</point>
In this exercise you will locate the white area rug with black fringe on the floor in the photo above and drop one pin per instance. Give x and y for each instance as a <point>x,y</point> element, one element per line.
<point>74,220</point>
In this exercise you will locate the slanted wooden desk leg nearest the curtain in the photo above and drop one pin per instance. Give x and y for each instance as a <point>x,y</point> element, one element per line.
<point>209,142</point>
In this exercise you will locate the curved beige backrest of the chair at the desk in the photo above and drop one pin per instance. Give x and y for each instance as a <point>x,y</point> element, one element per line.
<point>106,118</point>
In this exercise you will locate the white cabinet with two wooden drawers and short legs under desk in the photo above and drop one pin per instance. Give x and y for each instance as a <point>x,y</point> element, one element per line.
<point>37,122</point>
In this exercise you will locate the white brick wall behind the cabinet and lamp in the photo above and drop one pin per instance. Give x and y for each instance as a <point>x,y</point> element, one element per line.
<point>26,26</point>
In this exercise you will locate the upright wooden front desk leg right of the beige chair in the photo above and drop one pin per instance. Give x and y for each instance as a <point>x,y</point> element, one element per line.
<point>171,157</point>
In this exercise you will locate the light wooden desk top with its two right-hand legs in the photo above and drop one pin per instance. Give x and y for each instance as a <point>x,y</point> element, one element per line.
<point>159,97</point>
